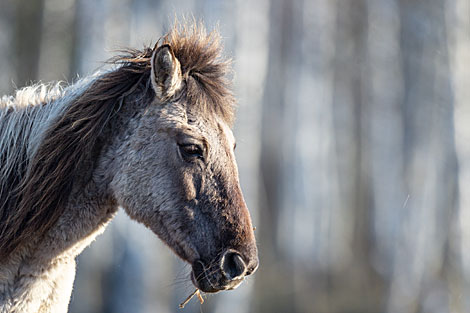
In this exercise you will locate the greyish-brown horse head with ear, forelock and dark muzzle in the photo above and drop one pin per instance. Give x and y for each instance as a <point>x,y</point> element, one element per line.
<point>176,170</point>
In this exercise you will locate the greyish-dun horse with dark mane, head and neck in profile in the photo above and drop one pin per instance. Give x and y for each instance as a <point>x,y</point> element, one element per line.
<point>152,134</point>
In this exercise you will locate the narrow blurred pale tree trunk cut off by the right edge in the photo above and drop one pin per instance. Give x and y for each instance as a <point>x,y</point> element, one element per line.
<point>459,29</point>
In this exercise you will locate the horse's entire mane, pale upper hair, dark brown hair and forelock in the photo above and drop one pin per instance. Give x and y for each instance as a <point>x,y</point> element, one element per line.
<point>36,185</point>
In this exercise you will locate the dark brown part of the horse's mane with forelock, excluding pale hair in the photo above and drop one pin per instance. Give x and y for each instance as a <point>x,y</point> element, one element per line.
<point>32,202</point>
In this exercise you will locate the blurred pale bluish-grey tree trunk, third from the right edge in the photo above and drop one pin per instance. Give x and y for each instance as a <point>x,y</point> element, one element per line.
<point>383,121</point>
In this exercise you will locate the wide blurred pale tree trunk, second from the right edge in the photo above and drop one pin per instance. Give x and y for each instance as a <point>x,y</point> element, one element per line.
<point>419,282</point>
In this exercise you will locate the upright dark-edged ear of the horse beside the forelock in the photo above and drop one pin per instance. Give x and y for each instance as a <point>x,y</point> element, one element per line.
<point>166,73</point>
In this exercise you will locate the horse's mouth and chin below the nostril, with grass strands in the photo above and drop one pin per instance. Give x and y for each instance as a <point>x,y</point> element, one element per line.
<point>212,281</point>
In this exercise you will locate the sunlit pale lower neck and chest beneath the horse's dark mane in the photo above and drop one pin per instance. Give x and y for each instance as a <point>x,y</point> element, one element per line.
<point>47,267</point>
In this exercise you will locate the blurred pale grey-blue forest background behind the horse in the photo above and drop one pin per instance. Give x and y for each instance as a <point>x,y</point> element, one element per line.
<point>353,145</point>
